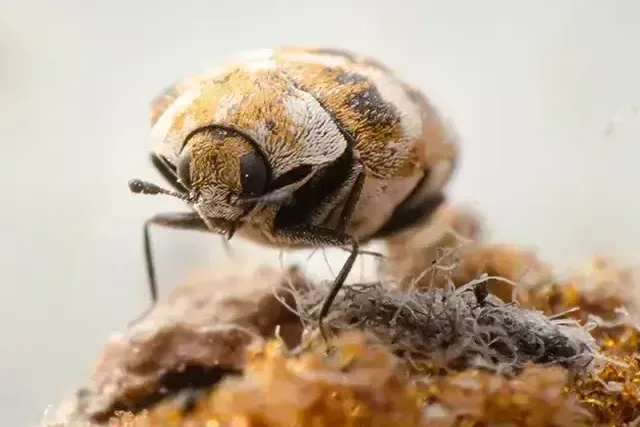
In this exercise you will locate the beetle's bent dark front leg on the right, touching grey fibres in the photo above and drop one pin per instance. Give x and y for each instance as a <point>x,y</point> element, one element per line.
<point>319,236</point>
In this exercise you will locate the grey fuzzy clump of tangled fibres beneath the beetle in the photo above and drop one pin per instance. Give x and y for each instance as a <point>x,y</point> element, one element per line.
<point>457,327</point>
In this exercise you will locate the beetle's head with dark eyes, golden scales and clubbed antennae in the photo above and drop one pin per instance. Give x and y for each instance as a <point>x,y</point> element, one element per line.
<point>225,174</point>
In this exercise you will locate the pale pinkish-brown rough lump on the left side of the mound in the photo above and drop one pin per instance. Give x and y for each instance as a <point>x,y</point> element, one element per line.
<point>200,330</point>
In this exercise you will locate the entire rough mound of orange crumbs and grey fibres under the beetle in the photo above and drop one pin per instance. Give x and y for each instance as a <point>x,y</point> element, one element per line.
<point>452,355</point>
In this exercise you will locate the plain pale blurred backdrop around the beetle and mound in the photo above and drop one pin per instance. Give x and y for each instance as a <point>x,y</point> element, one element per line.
<point>530,85</point>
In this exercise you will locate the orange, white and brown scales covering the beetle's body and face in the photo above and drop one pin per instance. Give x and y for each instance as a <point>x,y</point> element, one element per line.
<point>304,105</point>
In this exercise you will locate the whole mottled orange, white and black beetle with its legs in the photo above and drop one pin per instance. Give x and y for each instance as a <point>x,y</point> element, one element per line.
<point>299,147</point>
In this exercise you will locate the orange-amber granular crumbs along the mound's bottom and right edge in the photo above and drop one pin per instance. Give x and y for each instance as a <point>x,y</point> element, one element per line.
<point>361,382</point>
